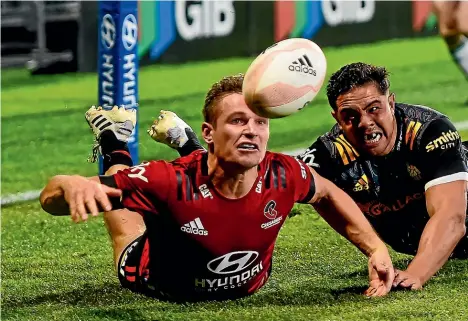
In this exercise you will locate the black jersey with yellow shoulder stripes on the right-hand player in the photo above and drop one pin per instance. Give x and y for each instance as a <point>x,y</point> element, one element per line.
<point>390,189</point>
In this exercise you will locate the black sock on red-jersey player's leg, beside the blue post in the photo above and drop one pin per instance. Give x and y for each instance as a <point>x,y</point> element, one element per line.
<point>114,151</point>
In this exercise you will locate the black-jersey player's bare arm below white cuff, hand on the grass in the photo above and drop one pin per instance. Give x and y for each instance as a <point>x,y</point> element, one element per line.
<point>446,205</point>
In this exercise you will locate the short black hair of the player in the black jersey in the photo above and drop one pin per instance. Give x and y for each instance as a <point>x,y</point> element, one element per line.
<point>355,75</point>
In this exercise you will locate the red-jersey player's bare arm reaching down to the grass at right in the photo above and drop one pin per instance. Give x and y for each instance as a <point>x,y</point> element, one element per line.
<point>343,214</point>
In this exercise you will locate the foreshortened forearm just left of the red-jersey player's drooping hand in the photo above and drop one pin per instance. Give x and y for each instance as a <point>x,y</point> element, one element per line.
<point>52,198</point>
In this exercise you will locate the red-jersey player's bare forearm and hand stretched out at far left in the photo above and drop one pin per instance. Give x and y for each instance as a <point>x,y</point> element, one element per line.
<point>76,196</point>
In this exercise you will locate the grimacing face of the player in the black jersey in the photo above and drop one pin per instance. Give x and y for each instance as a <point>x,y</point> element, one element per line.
<point>367,119</point>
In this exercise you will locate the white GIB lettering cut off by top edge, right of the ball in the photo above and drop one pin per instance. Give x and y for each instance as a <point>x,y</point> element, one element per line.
<point>347,12</point>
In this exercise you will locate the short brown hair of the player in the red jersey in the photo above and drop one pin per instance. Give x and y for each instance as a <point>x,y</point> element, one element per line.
<point>227,85</point>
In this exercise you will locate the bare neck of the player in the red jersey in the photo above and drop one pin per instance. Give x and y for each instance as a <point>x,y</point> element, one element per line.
<point>230,181</point>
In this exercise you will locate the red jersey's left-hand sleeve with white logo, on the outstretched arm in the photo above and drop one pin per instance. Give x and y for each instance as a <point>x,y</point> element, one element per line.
<point>144,186</point>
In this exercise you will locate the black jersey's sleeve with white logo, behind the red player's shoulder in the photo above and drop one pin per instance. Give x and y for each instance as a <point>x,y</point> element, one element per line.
<point>320,158</point>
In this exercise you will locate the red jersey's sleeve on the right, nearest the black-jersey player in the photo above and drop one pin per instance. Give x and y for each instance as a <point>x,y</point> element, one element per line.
<point>302,180</point>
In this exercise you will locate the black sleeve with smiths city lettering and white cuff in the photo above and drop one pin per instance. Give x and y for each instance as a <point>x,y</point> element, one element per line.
<point>441,154</point>
